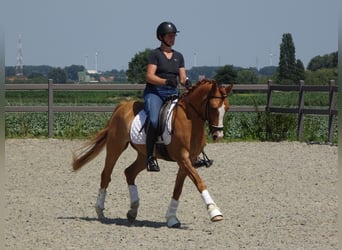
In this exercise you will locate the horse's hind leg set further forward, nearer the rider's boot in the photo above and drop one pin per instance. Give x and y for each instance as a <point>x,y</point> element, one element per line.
<point>131,173</point>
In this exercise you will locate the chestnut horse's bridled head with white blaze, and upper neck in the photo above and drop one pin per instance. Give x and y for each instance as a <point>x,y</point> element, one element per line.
<point>213,105</point>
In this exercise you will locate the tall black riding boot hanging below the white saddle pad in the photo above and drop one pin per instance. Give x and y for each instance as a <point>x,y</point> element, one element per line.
<point>151,137</point>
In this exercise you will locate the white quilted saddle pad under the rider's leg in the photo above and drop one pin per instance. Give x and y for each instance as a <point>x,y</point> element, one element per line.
<point>138,135</point>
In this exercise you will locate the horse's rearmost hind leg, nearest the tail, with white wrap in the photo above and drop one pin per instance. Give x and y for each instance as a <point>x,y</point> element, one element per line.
<point>113,151</point>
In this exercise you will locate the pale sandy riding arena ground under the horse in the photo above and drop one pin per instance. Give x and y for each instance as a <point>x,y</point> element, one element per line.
<point>272,196</point>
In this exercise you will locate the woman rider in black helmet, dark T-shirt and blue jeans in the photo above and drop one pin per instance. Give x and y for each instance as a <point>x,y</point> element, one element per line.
<point>165,69</point>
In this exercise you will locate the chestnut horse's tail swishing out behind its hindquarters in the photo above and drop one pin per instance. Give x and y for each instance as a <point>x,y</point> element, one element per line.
<point>90,150</point>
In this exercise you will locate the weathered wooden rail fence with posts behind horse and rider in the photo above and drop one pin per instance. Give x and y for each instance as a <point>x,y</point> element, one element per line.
<point>268,88</point>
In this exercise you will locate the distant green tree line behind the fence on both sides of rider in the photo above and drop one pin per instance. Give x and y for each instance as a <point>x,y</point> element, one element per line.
<point>290,70</point>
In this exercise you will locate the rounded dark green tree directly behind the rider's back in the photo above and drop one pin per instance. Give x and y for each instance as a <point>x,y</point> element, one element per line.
<point>136,72</point>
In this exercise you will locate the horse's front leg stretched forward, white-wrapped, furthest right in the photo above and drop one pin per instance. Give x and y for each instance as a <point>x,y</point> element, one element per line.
<point>213,210</point>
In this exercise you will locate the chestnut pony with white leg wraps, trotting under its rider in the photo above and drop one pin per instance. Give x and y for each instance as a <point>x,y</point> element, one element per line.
<point>204,102</point>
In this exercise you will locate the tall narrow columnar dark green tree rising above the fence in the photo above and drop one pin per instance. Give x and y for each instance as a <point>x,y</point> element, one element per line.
<point>287,61</point>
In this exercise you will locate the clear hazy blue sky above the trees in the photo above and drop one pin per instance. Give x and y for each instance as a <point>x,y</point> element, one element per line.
<point>245,33</point>
